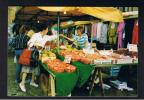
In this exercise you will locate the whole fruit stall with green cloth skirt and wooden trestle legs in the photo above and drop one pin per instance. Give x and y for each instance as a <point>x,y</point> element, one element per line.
<point>65,75</point>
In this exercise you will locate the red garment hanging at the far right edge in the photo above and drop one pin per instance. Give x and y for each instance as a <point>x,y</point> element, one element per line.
<point>135,33</point>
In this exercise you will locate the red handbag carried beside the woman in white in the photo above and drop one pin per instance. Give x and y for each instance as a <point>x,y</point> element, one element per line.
<point>25,57</point>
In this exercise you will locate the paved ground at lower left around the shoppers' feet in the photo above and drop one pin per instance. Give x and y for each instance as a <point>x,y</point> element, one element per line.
<point>13,88</point>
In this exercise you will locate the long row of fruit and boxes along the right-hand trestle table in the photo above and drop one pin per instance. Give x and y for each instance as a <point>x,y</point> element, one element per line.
<point>102,56</point>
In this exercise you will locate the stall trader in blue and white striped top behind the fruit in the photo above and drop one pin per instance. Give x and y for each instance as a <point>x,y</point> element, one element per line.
<point>81,39</point>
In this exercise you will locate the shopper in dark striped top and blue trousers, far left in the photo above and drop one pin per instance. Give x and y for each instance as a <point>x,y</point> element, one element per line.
<point>19,43</point>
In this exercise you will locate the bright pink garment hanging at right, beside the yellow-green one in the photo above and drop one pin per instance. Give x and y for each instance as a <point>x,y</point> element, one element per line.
<point>120,31</point>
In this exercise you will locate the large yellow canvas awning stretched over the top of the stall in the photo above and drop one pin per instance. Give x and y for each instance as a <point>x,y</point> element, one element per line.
<point>104,13</point>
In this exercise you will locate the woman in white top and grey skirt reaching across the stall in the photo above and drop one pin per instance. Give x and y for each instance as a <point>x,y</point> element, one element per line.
<point>37,41</point>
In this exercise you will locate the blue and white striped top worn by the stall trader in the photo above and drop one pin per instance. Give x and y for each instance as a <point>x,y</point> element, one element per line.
<point>81,40</point>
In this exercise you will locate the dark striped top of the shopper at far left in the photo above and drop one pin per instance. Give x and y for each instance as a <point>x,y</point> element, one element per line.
<point>20,41</point>
